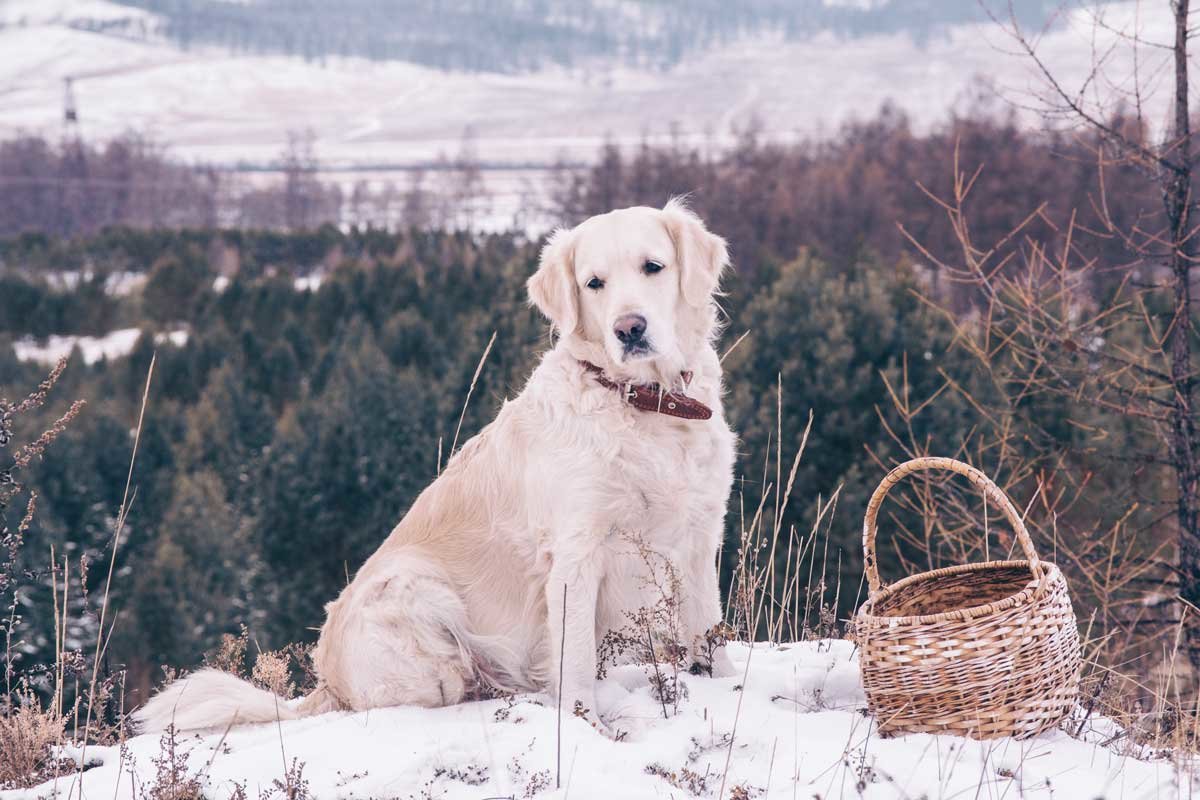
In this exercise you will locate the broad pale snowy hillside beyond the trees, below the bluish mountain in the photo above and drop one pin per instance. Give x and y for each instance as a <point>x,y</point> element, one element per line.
<point>211,105</point>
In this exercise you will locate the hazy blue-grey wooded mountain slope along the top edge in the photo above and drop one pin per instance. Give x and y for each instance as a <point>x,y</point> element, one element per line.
<point>523,35</point>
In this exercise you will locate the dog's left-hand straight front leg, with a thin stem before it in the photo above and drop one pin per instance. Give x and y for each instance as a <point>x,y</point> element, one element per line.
<point>572,616</point>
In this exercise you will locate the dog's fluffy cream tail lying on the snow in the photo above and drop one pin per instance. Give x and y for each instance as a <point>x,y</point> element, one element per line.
<point>211,700</point>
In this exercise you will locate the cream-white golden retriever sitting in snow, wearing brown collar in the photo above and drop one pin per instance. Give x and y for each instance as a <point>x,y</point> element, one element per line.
<point>619,437</point>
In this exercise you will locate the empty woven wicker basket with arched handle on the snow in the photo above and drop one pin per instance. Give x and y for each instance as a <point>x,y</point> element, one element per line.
<point>980,651</point>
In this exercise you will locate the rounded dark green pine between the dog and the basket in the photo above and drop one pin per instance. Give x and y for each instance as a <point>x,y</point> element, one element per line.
<point>835,342</point>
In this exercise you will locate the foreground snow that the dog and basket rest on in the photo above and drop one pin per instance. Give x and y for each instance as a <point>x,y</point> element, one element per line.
<point>790,725</point>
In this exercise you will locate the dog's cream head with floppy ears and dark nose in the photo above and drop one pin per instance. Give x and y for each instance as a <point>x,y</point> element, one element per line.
<point>635,287</point>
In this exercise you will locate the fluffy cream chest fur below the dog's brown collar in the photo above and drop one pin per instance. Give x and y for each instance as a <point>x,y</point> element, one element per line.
<point>650,482</point>
